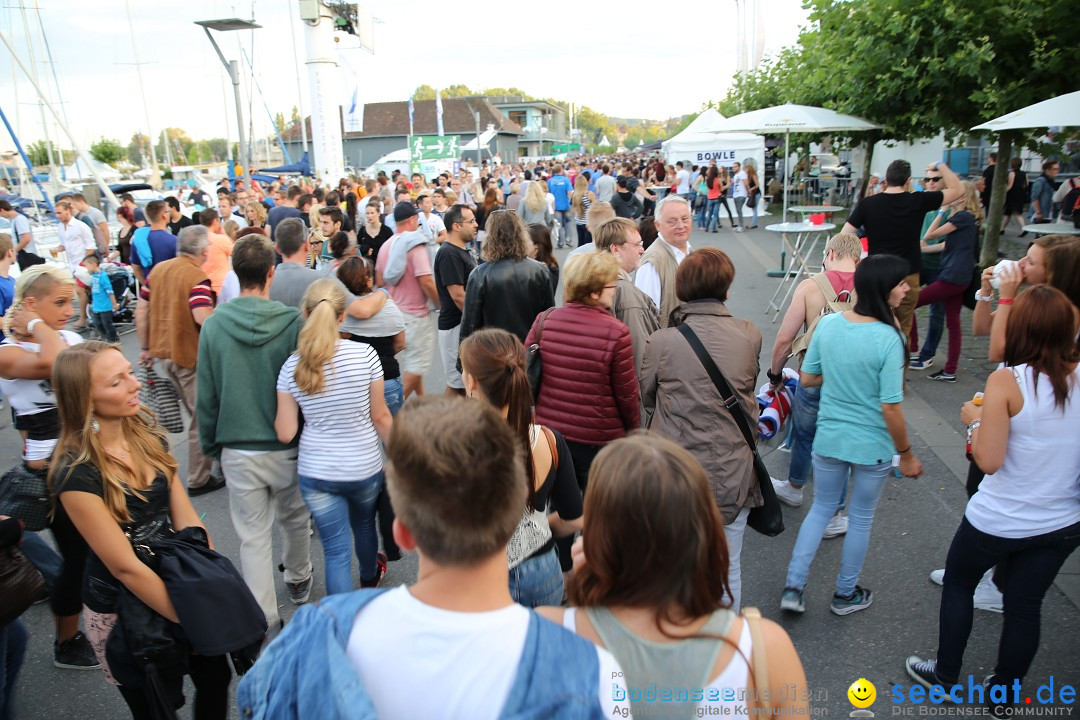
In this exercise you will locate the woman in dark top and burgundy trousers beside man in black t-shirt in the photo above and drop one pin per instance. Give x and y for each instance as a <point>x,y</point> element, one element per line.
<point>958,263</point>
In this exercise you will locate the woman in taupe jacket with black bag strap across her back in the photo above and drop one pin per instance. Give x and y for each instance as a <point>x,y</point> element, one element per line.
<point>688,409</point>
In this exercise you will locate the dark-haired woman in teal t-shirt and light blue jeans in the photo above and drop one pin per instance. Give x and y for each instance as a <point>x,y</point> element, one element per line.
<point>858,358</point>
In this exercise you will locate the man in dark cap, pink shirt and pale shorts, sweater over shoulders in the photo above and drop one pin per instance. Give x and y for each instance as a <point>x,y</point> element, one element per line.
<point>413,290</point>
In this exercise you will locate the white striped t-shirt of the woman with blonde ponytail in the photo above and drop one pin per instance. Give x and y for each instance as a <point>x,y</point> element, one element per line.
<point>339,442</point>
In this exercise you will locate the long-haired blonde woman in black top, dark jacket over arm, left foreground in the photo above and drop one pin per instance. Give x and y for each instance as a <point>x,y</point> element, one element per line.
<point>116,480</point>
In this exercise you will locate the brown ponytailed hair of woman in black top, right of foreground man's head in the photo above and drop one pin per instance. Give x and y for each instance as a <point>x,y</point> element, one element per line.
<point>496,360</point>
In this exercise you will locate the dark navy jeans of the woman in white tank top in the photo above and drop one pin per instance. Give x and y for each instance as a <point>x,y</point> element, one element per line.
<point>1025,569</point>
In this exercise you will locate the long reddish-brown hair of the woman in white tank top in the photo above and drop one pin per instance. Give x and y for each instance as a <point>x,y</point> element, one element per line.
<point>1043,332</point>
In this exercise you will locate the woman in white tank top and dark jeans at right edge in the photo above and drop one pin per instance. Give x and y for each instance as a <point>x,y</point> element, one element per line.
<point>1025,519</point>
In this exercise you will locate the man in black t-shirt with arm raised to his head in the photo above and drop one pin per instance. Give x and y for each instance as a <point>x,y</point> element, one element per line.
<point>894,223</point>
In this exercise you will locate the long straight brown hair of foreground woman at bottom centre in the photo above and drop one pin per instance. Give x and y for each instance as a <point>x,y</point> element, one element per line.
<point>656,537</point>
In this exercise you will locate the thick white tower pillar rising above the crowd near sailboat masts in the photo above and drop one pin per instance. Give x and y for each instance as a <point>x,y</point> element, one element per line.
<point>328,158</point>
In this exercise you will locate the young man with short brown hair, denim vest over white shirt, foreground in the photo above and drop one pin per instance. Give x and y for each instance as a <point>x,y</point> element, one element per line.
<point>456,633</point>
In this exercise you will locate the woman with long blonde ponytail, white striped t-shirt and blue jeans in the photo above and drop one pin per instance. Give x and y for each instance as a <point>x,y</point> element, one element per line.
<point>339,386</point>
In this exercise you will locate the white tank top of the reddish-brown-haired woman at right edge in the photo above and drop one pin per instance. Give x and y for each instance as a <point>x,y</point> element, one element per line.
<point>1037,490</point>
